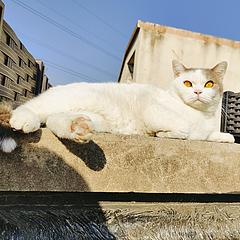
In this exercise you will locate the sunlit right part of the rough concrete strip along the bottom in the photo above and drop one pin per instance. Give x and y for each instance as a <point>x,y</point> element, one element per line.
<point>173,221</point>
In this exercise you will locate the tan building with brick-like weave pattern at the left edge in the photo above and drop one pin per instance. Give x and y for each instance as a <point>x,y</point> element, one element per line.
<point>21,75</point>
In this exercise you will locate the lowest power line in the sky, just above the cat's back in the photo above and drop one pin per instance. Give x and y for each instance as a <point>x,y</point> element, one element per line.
<point>73,58</point>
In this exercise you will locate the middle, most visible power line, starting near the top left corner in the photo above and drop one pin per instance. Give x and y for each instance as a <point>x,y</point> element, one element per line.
<point>65,29</point>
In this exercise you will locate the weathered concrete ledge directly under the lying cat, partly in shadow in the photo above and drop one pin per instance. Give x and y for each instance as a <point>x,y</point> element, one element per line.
<point>112,163</point>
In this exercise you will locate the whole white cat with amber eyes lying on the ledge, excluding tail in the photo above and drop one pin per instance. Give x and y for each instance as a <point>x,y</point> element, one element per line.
<point>187,111</point>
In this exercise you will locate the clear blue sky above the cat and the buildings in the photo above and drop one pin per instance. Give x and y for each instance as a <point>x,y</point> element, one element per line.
<point>102,28</point>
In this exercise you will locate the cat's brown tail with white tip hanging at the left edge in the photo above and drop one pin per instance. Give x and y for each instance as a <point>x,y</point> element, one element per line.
<point>7,141</point>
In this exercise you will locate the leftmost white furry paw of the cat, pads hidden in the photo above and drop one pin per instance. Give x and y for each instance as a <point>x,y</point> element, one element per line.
<point>25,120</point>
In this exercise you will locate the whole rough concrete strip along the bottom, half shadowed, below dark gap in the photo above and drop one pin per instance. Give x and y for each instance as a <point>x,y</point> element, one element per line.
<point>125,221</point>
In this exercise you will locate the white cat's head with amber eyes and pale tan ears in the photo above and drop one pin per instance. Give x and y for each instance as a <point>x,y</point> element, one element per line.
<point>200,88</point>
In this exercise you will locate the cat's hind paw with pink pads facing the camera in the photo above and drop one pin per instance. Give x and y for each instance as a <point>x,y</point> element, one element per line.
<point>81,128</point>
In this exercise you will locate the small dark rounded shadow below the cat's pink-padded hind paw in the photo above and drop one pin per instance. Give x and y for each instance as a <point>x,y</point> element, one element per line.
<point>92,155</point>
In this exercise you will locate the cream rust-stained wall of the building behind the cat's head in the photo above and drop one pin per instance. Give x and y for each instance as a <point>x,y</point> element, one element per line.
<point>158,46</point>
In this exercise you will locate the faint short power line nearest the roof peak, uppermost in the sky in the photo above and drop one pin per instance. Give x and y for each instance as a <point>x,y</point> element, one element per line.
<point>72,22</point>
